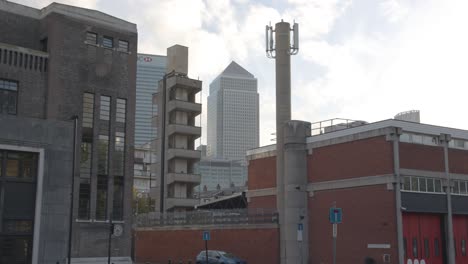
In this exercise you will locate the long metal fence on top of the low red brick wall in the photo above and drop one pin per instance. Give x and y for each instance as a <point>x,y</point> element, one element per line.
<point>207,217</point>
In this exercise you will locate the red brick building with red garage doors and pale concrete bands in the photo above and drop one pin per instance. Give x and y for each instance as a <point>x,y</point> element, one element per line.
<point>402,187</point>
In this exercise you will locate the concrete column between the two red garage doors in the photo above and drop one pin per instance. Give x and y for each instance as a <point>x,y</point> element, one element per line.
<point>444,140</point>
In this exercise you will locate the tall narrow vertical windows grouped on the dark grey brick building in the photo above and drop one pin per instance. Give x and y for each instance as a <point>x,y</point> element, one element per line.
<point>103,155</point>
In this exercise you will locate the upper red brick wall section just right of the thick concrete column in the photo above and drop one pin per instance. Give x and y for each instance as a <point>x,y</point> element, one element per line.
<point>366,157</point>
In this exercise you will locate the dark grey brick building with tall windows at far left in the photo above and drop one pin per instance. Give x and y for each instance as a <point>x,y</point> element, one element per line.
<point>56,64</point>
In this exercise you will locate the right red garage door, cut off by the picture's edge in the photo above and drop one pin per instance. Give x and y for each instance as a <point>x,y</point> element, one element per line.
<point>460,235</point>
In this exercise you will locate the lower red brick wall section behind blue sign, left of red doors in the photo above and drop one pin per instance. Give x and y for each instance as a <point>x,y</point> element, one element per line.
<point>368,218</point>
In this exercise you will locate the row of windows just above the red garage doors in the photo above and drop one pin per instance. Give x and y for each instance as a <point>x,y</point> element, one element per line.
<point>432,185</point>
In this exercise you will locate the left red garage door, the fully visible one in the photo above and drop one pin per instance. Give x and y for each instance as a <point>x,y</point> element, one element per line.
<point>422,238</point>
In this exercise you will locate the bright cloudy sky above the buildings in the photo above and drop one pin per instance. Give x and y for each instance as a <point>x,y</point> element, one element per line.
<point>358,59</point>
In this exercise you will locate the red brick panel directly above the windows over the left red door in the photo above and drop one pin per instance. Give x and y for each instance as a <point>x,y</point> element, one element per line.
<point>421,157</point>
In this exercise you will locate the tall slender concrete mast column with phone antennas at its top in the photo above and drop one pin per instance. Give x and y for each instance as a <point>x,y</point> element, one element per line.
<point>283,114</point>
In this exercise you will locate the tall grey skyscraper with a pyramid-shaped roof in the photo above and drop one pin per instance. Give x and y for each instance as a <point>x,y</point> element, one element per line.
<point>233,119</point>
